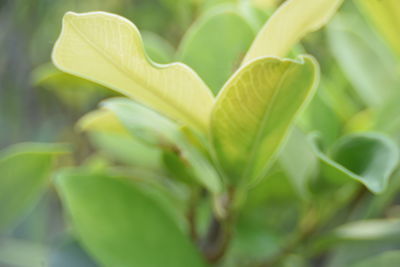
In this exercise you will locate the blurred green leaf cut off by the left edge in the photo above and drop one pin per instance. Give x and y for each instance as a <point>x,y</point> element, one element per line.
<point>24,173</point>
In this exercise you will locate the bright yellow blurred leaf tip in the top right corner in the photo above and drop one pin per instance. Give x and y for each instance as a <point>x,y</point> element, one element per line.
<point>385,14</point>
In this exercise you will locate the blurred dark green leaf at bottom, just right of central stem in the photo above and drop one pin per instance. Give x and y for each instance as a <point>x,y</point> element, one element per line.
<point>269,214</point>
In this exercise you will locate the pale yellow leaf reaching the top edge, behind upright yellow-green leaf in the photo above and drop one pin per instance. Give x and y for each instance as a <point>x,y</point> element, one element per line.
<point>291,22</point>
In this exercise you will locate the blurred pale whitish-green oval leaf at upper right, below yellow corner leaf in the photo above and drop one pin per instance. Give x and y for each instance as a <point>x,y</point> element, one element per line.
<point>362,56</point>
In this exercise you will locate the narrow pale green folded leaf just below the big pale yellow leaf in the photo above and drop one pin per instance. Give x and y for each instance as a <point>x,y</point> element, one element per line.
<point>155,129</point>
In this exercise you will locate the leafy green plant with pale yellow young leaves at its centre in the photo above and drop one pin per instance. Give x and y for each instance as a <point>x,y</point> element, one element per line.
<point>197,173</point>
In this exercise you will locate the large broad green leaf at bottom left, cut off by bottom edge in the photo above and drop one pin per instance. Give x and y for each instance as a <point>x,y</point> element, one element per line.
<point>122,225</point>
